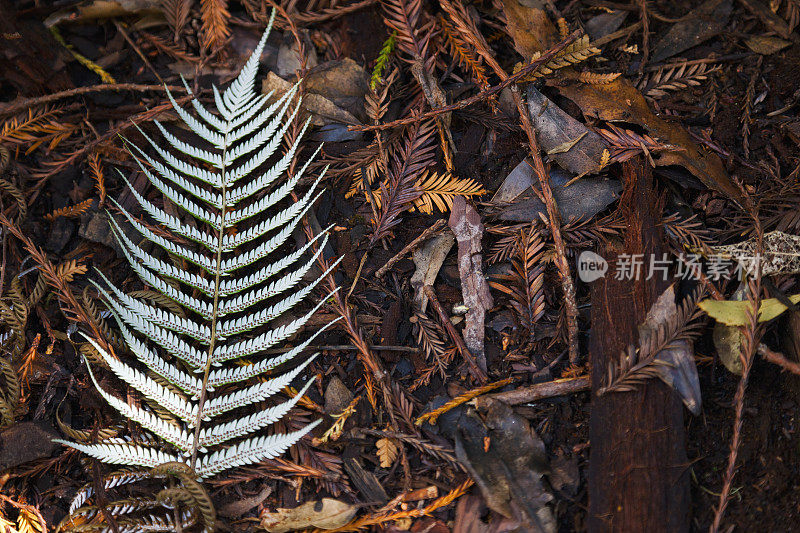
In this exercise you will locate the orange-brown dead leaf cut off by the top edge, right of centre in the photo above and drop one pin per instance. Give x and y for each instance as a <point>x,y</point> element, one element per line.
<point>529,26</point>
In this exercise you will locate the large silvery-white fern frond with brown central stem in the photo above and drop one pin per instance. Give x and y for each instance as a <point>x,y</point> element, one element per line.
<point>209,362</point>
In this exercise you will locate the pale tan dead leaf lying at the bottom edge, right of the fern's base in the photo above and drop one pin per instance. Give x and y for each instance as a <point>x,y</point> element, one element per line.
<point>324,514</point>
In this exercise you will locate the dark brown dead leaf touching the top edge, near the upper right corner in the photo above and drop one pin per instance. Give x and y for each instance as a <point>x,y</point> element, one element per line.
<point>702,23</point>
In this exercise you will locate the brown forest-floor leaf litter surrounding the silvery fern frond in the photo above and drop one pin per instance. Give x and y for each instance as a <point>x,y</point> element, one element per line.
<point>568,244</point>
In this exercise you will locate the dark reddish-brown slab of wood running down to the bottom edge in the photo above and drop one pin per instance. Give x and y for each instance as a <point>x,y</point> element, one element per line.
<point>638,470</point>
